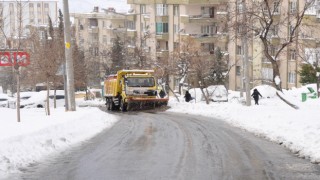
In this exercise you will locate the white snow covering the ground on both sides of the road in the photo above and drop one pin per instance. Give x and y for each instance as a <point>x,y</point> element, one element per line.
<point>38,135</point>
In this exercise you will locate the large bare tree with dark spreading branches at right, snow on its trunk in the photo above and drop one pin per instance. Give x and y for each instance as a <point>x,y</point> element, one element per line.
<point>264,19</point>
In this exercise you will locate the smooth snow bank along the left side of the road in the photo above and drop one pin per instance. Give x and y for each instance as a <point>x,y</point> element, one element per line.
<point>37,135</point>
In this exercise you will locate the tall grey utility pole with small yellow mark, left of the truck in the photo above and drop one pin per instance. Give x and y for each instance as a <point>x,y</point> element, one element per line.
<point>69,60</point>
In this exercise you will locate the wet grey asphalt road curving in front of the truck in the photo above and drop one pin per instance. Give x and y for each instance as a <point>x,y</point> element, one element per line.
<point>169,146</point>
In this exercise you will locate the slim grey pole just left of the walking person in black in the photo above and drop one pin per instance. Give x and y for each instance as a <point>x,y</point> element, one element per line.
<point>245,54</point>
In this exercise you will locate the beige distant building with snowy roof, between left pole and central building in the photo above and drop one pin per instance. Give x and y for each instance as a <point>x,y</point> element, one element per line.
<point>95,33</point>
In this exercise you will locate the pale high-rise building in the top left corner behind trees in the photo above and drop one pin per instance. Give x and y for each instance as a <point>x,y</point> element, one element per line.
<point>16,16</point>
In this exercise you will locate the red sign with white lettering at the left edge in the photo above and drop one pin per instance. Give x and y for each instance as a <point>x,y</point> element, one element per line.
<point>15,58</point>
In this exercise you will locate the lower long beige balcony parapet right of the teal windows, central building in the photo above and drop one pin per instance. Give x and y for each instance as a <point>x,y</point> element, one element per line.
<point>208,38</point>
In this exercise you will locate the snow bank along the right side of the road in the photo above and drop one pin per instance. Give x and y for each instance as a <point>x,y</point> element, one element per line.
<point>298,130</point>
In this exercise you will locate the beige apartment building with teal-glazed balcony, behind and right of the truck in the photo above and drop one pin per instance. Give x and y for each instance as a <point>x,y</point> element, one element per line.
<point>170,21</point>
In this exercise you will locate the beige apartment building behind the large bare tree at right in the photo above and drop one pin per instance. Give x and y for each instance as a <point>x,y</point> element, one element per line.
<point>304,48</point>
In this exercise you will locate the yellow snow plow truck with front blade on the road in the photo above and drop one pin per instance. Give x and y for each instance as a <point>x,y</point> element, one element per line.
<point>132,90</point>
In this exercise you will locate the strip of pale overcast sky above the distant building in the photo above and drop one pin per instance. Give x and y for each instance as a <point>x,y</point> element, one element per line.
<point>76,6</point>
